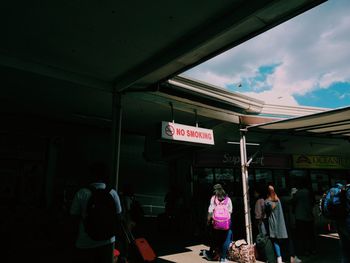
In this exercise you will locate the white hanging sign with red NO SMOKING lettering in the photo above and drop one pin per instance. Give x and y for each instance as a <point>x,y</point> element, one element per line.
<point>179,132</point>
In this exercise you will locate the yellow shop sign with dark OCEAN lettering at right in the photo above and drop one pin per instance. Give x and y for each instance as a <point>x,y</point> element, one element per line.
<point>320,162</point>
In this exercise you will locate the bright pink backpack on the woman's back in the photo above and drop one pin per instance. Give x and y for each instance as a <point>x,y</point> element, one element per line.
<point>221,215</point>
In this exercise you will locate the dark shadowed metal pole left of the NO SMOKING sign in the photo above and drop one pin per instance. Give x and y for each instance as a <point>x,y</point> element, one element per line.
<point>116,134</point>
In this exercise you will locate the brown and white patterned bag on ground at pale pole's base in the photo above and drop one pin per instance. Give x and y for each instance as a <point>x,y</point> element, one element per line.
<point>241,252</point>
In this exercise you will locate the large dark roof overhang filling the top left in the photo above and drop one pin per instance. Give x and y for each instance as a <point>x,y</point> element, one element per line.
<point>122,44</point>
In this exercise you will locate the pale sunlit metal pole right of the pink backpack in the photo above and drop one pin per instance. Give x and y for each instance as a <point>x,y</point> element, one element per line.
<point>245,184</point>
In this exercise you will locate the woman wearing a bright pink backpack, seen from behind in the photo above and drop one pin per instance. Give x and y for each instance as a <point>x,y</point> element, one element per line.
<point>219,218</point>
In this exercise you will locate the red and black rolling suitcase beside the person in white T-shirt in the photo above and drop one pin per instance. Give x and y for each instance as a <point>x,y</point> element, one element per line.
<point>140,249</point>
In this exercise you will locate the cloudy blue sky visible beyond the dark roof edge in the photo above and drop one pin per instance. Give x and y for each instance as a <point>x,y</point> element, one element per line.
<point>305,61</point>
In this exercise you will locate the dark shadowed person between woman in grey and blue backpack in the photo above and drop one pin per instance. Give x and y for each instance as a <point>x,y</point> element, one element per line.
<point>303,203</point>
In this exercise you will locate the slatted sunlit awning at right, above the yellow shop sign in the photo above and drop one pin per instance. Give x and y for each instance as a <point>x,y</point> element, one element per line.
<point>333,123</point>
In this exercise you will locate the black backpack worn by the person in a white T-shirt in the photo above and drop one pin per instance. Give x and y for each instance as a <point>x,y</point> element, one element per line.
<point>101,214</point>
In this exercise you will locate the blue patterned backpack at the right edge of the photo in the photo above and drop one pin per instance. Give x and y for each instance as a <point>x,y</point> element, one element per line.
<point>333,202</point>
